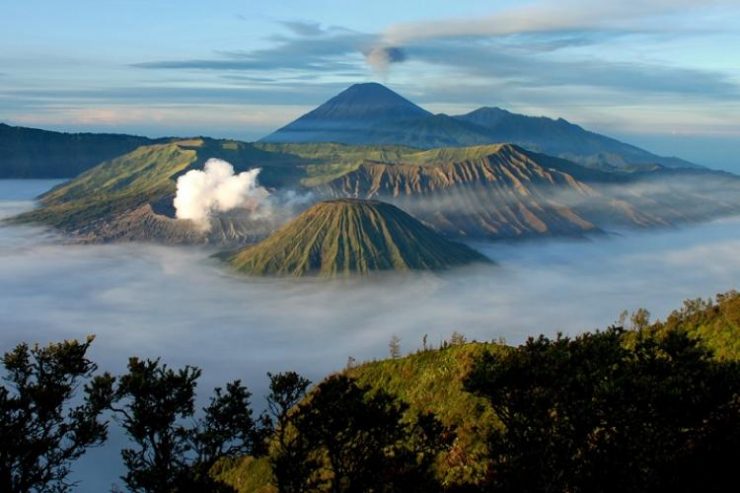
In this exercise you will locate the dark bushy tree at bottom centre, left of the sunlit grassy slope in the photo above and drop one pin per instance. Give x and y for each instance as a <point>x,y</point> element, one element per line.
<point>347,440</point>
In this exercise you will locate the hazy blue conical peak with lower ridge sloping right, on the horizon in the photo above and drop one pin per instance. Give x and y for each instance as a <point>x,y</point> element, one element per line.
<point>372,114</point>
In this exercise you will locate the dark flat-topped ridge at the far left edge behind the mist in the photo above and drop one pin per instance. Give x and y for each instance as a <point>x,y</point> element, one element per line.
<point>33,153</point>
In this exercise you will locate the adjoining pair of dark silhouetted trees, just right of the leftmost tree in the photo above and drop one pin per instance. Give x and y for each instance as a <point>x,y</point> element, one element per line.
<point>174,451</point>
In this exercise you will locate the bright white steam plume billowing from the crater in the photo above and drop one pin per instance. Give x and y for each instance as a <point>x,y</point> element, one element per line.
<point>216,188</point>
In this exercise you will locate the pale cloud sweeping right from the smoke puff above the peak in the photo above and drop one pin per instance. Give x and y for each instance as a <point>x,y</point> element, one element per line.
<point>512,44</point>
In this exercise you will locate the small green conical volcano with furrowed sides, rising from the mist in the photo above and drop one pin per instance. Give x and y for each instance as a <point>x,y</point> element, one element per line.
<point>347,236</point>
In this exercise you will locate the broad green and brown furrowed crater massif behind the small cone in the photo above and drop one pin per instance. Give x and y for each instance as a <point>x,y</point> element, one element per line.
<point>487,192</point>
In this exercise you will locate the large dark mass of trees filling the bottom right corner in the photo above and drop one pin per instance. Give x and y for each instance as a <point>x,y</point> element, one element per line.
<point>605,412</point>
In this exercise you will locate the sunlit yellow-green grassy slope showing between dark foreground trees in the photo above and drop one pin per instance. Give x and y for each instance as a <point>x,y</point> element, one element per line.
<point>431,381</point>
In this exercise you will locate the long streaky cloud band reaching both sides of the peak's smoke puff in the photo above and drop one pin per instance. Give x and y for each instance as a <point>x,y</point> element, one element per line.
<point>513,47</point>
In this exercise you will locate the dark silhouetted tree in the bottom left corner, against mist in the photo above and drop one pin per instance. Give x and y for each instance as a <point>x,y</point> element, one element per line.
<point>41,431</point>
